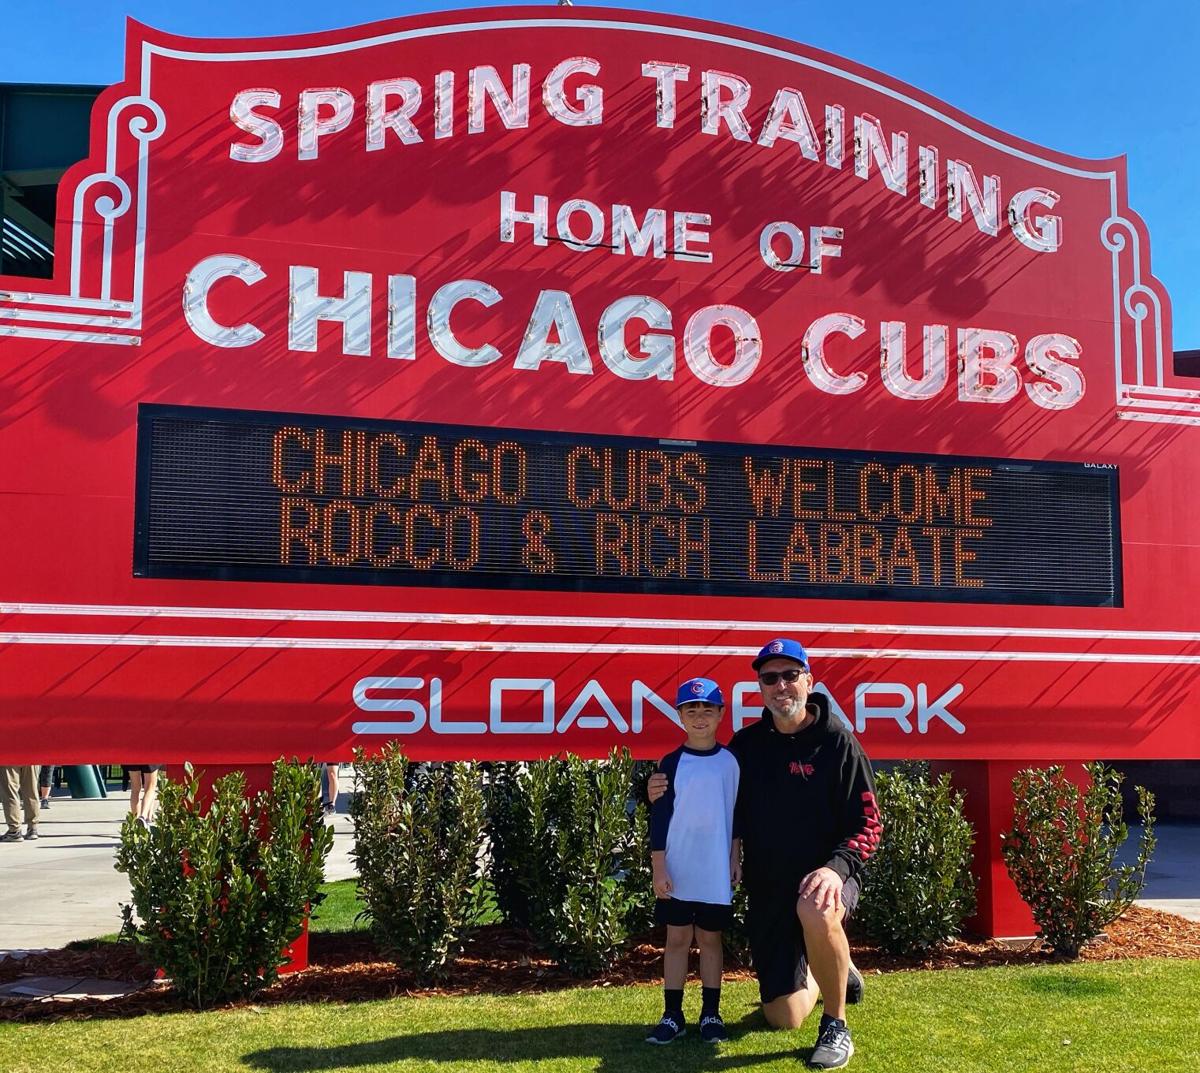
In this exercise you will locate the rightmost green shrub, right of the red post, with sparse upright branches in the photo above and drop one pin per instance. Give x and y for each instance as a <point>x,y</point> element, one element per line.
<point>1063,849</point>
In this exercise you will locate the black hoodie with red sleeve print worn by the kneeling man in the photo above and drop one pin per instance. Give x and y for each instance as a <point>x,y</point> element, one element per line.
<point>805,801</point>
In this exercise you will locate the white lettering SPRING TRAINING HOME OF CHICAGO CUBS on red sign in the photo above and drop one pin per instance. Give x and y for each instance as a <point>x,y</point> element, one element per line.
<point>403,317</point>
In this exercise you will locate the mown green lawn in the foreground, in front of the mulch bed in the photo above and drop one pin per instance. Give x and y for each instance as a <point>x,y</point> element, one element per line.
<point>1093,1018</point>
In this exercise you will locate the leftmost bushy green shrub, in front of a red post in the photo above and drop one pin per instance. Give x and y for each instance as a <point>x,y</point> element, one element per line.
<point>220,892</point>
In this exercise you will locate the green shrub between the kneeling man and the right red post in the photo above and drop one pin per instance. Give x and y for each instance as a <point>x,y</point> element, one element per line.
<point>919,888</point>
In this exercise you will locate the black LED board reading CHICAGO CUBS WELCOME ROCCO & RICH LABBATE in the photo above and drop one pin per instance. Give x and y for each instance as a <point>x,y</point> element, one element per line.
<point>253,496</point>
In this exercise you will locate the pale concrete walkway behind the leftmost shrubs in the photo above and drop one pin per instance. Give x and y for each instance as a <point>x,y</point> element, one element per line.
<point>64,886</point>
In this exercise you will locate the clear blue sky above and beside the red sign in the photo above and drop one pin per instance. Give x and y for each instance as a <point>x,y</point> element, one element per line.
<point>1096,79</point>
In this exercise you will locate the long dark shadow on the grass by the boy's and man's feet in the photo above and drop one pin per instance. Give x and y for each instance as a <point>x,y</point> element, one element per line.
<point>613,1048</point>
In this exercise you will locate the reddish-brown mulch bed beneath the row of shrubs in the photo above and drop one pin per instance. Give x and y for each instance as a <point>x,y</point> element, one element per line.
<point>502,961</point>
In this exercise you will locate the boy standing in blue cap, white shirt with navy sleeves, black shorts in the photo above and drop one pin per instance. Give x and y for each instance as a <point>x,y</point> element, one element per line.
<point>697,859</point>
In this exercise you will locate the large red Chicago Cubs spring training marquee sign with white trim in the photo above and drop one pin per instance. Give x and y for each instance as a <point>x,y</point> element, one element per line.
<point>472,379</point>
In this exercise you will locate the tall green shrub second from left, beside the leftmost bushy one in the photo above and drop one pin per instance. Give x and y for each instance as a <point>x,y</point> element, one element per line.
<point>419,848</point>
